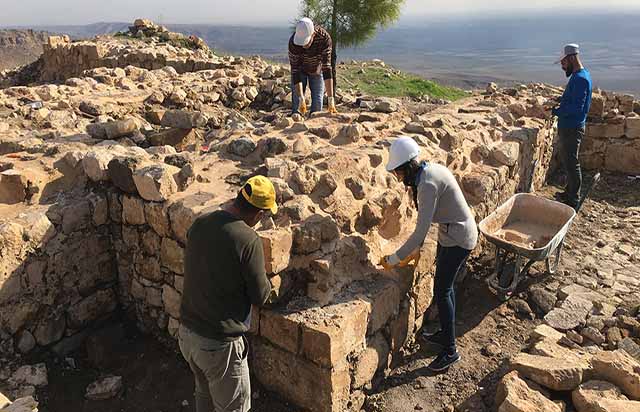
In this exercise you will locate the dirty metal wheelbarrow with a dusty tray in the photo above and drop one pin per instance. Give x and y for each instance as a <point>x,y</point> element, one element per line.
<point>527,229</point>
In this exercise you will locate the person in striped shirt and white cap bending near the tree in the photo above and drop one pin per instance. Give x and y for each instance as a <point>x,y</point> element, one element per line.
<point>310,59</point>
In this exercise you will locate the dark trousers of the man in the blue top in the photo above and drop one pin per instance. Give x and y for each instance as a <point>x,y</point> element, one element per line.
<point>569,149</point>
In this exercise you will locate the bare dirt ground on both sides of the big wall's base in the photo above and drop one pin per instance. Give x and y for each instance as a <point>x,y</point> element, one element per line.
<point>489,332</point>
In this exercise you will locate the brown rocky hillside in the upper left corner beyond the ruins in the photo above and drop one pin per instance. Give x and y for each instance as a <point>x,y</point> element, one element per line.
<point>19,47</point>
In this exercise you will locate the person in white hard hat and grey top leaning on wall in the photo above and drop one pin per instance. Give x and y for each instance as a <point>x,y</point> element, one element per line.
<point>439,199</point>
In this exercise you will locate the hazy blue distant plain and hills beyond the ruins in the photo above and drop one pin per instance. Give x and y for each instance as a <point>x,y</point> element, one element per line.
<point>464,52</point>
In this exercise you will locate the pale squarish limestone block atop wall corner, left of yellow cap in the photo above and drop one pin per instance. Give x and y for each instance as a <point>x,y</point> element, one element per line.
<point>156,182</point>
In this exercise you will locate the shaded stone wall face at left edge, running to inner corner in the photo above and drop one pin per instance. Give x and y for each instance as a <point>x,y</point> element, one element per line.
<point>58,274</point>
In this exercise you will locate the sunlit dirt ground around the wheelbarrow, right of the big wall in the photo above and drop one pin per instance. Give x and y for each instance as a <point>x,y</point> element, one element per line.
<point>488,331</point>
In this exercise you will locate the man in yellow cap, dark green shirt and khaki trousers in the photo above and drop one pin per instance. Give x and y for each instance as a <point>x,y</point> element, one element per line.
<point>224,275</point>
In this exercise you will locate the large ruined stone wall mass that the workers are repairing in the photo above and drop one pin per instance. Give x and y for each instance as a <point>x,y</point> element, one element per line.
<point>101,177</point>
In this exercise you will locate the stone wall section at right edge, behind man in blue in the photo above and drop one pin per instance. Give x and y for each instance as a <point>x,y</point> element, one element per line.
<point>612,139</point>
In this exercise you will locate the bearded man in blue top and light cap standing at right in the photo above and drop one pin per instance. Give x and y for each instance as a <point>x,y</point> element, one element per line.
<point>572,115</point>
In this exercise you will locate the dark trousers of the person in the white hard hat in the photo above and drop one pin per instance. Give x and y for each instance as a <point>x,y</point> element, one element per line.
<point>449,262</point>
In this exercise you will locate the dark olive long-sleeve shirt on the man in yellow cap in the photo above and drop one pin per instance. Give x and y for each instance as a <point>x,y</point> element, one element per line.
<point>224,275</point>
